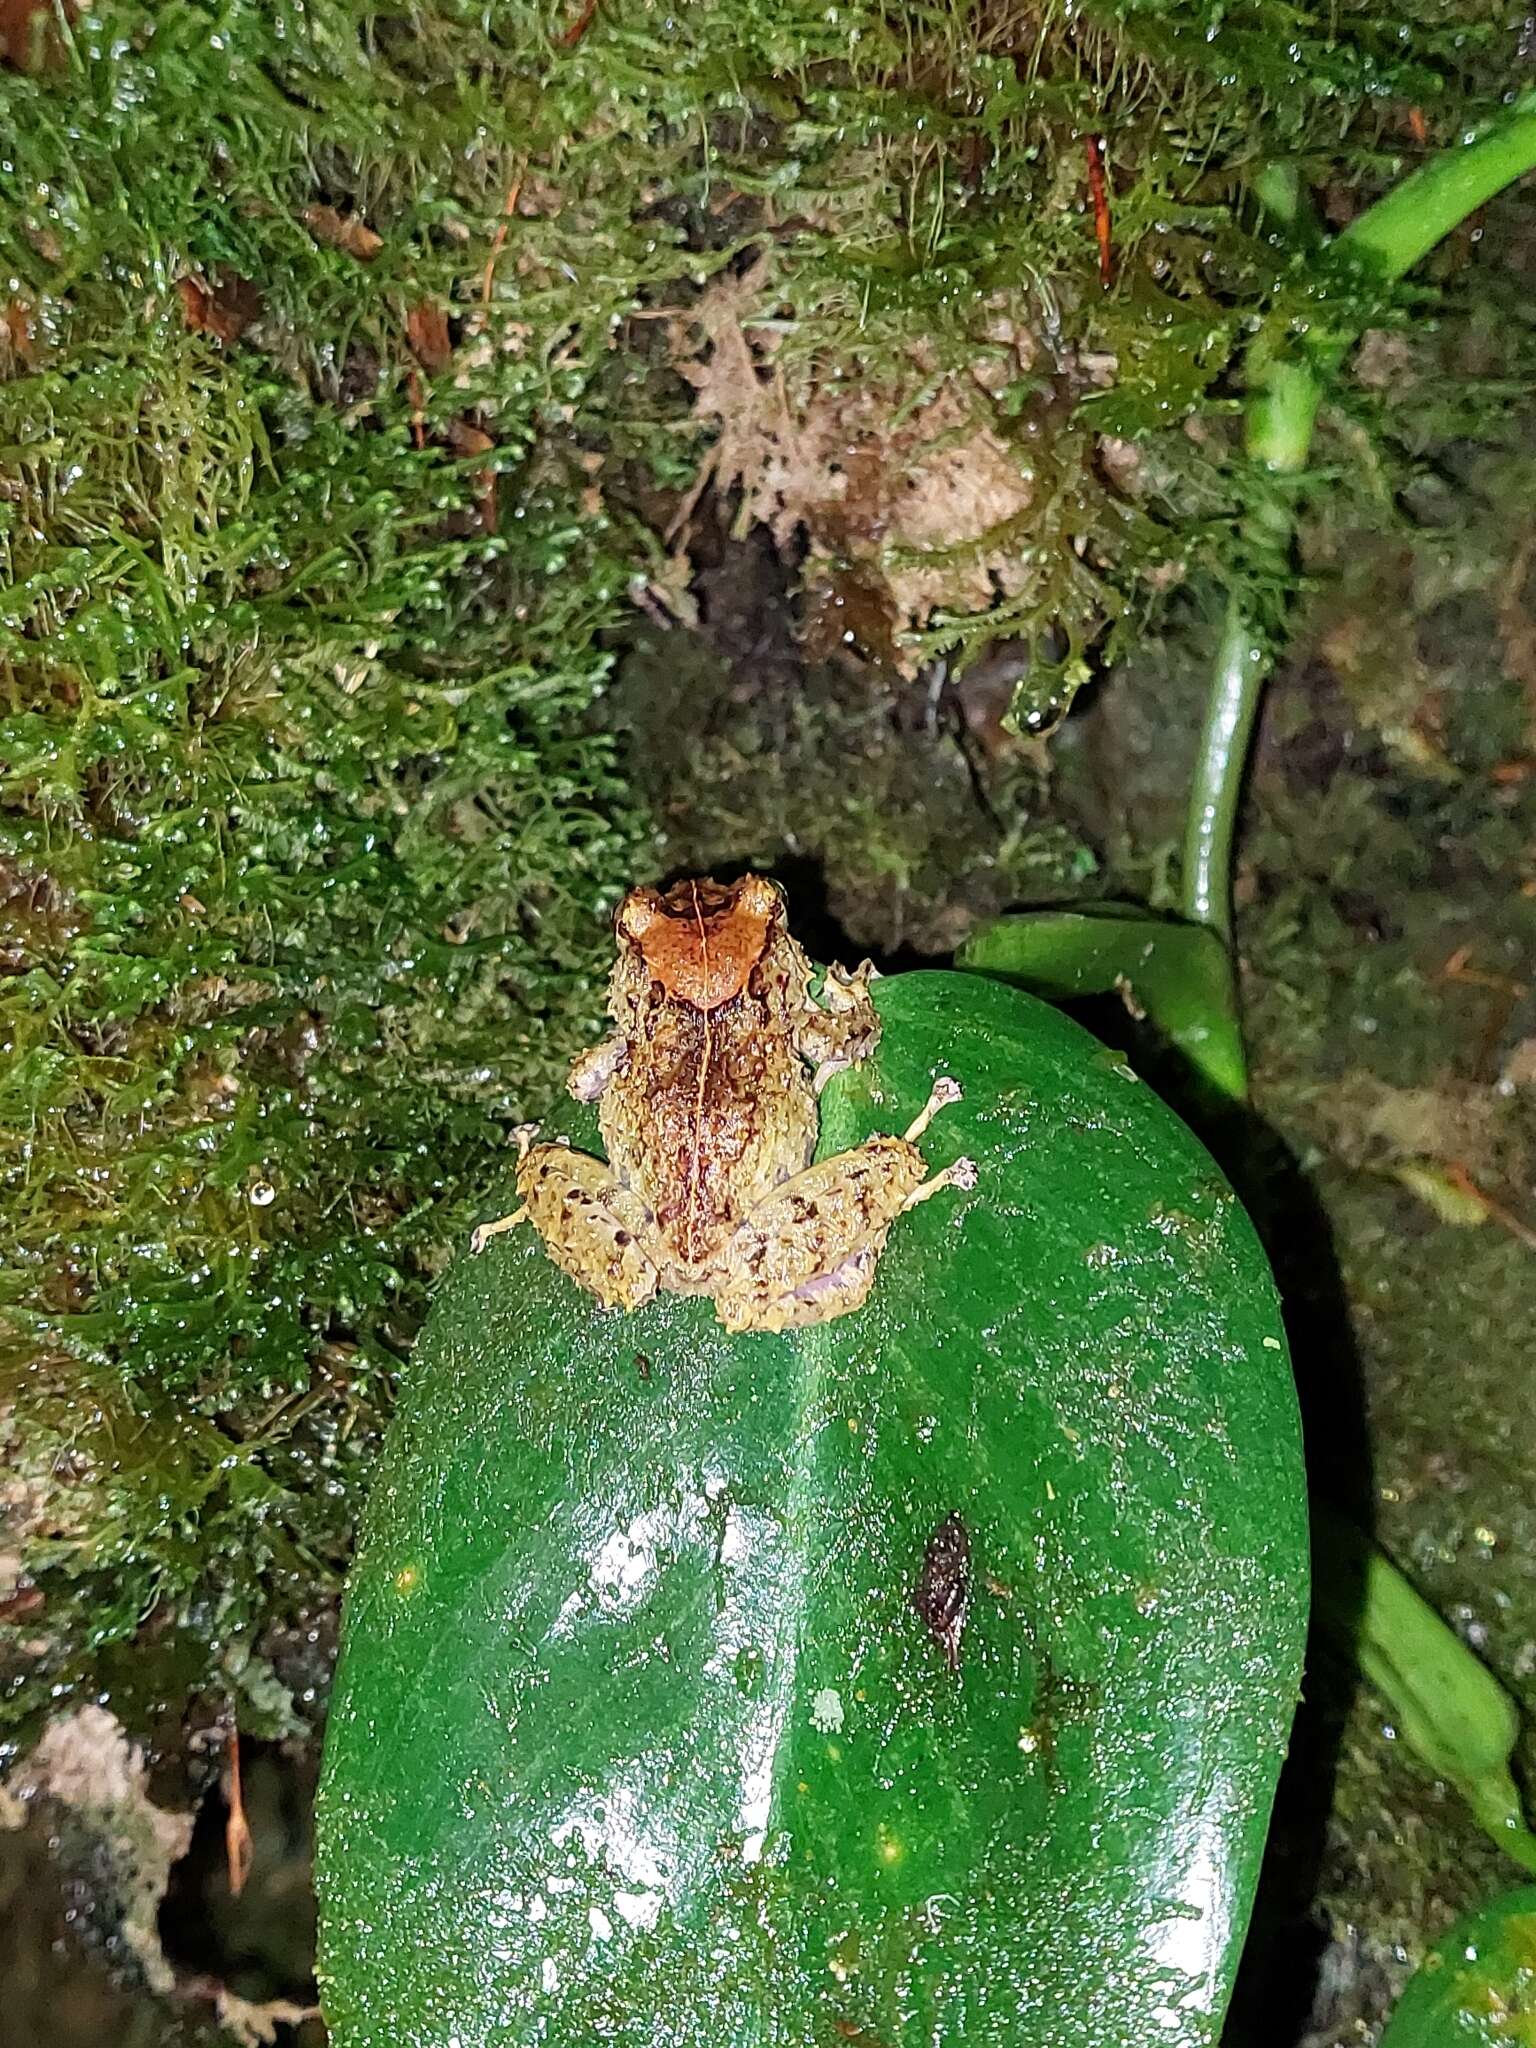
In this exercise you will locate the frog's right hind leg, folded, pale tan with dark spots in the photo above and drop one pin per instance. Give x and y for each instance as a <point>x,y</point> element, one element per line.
<point>808,1252</point>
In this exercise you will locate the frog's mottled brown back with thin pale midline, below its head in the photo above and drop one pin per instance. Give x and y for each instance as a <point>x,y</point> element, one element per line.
<point>749,1125</point>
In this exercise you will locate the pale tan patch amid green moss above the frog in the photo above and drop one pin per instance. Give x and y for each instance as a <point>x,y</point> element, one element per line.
<point>906,480</point>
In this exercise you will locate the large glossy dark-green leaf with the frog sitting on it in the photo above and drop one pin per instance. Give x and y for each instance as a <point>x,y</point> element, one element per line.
<point>638,1734</point>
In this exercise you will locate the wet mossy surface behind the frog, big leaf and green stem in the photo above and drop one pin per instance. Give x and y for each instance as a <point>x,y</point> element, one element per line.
<point>368,376</point>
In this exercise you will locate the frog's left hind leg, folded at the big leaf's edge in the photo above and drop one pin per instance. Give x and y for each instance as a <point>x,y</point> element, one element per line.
<point>591,1224</point>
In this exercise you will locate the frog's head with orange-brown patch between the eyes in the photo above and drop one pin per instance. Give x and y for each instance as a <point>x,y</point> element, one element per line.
<point>701,939</point>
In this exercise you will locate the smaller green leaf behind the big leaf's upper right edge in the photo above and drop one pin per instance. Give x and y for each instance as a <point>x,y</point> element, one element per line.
<point>1179,974</point>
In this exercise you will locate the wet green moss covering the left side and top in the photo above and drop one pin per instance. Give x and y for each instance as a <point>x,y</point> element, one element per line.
<point>331,402</point>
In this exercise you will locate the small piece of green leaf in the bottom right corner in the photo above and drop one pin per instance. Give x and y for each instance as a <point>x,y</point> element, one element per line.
<point>1478,1986</point>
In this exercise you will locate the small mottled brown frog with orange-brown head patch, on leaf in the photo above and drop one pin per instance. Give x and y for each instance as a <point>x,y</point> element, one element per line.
<point>708,1095</point>
